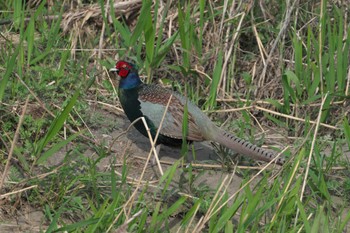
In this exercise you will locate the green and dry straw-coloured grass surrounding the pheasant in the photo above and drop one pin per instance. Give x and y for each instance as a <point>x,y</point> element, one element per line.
<point>214,53</point>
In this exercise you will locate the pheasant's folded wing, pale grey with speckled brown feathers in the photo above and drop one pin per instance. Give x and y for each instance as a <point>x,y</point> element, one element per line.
<point>154,100</point>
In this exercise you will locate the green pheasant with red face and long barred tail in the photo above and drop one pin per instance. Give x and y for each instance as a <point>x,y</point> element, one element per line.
<point>150,101</point>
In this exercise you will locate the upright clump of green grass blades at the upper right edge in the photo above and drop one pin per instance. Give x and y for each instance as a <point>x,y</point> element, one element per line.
<point>313,76</point>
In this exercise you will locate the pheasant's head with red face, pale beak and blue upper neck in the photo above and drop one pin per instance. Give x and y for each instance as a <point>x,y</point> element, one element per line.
<point>128,74</point>
